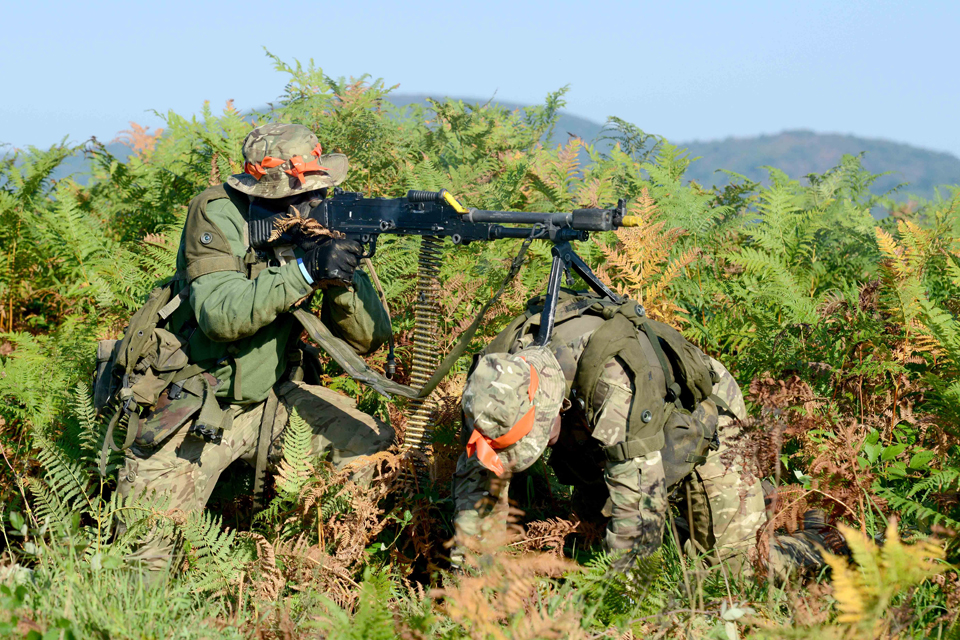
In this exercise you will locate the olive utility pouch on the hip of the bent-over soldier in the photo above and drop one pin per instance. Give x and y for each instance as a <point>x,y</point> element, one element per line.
<point>687,437</point>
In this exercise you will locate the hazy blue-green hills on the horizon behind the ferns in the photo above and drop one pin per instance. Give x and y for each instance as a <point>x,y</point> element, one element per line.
<point>797,153</point>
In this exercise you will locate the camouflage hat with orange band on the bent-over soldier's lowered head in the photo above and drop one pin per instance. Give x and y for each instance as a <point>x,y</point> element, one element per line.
<point>509,405</point>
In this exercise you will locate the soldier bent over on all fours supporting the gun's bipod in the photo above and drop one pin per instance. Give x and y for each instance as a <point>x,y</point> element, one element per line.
<point>637,417</point>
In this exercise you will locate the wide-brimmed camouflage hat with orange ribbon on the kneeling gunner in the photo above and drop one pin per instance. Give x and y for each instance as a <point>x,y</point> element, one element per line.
<point>285,159</point>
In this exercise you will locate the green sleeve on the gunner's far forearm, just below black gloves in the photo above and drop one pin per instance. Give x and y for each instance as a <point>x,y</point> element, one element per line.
<point>356,314</point>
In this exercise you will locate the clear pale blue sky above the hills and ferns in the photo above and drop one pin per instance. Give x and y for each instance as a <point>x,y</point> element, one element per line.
<point>686,70</point>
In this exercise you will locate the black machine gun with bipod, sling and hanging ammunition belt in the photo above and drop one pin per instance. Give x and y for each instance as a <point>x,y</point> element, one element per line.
<point>435,216</point>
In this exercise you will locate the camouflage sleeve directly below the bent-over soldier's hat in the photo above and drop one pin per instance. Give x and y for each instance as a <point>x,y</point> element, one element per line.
<point>474,499</point>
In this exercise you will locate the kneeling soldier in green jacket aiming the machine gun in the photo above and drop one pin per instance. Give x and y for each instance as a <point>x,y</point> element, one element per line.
<point>210,368</point>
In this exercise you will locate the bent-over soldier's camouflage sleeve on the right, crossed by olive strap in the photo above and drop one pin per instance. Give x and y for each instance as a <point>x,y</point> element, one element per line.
<point>638,503</point>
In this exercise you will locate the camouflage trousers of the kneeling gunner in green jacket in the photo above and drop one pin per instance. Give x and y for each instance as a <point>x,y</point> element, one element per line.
<point>183,471</point>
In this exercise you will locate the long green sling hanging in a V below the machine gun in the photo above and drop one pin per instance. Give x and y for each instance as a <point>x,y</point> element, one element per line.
<point>359,370</point>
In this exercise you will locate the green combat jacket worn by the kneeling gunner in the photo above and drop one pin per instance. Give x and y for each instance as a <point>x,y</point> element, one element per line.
<point>238,318</point>
